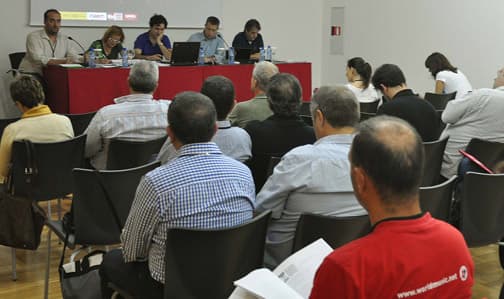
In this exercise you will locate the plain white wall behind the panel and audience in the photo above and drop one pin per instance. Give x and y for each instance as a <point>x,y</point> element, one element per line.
<point>403,32</point>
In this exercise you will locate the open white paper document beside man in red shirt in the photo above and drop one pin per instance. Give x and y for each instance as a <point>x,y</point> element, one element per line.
<point>293,278</point>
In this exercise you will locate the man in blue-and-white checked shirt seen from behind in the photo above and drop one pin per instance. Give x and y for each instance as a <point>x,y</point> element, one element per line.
<point>200,189</point>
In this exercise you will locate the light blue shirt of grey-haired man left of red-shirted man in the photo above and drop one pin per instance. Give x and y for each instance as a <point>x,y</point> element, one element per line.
<point>310,178</point>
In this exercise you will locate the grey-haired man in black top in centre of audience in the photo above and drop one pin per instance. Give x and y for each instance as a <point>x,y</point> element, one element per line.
<point>282,131</point>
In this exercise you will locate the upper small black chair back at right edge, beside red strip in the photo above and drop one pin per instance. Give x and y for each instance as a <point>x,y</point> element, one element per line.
<point>488,152</point>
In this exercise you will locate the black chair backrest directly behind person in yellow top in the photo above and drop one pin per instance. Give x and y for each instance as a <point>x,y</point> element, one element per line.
<point>54,162</point>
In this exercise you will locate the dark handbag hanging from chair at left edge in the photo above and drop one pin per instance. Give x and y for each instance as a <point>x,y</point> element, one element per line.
<point>21,219</point>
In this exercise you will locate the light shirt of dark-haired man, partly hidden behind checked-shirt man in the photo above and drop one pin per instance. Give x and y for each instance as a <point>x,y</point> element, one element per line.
<point>234,142</point>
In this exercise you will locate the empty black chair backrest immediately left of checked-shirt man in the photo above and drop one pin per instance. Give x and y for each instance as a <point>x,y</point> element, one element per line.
<point>93,218</point>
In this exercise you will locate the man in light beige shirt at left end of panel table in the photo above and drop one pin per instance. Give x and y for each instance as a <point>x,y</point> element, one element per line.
<point>48,46</point>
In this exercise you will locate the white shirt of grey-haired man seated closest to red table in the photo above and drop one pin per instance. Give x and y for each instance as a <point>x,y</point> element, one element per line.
<point>135,117</point>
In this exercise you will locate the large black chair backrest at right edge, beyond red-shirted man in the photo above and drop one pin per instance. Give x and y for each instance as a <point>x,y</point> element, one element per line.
<point>482,208</point>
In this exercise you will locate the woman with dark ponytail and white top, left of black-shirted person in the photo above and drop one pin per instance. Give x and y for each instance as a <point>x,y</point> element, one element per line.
<point>358,73</point>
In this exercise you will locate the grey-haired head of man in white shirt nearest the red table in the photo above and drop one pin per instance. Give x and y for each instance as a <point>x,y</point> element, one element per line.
<point>144,76</point>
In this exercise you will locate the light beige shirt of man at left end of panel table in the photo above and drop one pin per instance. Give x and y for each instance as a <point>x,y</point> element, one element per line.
<point>40,49</point>
